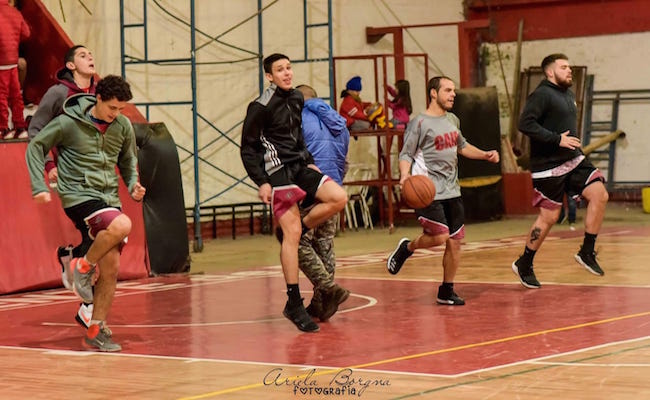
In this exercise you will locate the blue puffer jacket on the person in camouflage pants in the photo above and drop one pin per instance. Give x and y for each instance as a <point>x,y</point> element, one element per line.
<point>326,136</point>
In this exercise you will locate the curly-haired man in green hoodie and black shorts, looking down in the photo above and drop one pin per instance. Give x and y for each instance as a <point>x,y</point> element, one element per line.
<point>92,137</point>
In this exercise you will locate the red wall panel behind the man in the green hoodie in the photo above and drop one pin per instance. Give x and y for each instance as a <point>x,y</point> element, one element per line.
<point>30,232</point>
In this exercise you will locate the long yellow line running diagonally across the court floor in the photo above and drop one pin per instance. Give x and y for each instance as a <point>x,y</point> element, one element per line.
<point>430,353</point>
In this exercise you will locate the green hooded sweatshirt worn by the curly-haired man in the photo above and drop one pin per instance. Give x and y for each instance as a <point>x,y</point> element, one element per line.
<point>86,158</point>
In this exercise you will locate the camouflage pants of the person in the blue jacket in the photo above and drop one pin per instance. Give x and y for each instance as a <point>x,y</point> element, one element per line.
<point>316,257</point>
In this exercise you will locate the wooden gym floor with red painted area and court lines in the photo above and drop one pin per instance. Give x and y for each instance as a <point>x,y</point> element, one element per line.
<point>219,333</point>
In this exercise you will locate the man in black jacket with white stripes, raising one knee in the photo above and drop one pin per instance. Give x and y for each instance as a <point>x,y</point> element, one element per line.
<point>275,156</point>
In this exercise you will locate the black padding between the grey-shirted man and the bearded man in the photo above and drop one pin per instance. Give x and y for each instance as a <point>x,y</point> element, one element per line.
<point>478,110</point>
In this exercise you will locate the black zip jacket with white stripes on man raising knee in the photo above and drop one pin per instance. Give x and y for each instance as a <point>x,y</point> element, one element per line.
<point>272,133</point>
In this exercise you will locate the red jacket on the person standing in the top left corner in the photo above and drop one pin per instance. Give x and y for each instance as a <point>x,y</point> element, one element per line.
<point>14,30</point>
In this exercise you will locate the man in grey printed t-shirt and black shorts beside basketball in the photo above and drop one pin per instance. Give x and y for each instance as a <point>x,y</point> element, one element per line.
<point>432,143</point>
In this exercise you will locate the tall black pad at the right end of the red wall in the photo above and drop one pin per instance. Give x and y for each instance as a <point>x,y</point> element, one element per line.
<point>164,205</point>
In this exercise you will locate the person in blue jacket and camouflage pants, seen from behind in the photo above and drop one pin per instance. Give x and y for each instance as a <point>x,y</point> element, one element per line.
<point>327,138</point>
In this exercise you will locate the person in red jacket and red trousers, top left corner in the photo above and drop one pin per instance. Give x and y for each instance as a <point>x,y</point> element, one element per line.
<point>14,30</point>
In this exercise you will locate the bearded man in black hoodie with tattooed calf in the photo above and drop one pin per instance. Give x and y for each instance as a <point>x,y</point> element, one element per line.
<point>549,119</point>
